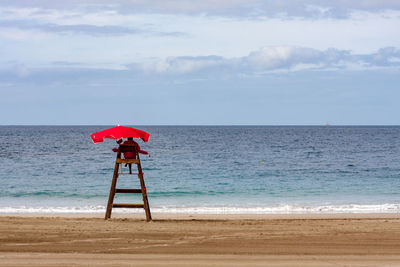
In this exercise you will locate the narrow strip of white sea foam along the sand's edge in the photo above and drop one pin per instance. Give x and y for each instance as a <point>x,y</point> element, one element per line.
<point>282,209</point>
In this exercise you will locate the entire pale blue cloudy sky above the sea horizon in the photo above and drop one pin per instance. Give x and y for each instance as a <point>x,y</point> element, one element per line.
<point>186,62</point>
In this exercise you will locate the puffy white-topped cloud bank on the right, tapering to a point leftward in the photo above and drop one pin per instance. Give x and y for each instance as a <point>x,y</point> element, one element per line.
<point>276,58</point>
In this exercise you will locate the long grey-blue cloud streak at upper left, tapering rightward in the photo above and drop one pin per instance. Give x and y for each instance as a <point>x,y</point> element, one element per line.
<point>94,23</point>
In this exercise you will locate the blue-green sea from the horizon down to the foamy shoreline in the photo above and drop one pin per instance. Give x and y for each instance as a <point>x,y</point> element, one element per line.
<point>205,169</point>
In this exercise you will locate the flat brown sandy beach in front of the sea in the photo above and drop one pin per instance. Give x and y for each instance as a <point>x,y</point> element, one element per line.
<point>201,240</point>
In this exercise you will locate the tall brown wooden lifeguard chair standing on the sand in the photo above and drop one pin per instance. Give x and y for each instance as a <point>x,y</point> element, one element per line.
<point>113,190</point>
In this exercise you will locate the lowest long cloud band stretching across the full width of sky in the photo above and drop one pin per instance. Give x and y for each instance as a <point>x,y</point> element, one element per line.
<point>265,61</point>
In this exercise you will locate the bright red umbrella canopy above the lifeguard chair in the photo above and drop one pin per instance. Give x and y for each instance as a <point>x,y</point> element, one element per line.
<point>119,132</point>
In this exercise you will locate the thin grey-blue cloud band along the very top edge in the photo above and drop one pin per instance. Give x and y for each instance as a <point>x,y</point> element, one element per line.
<point>237,8</point>
